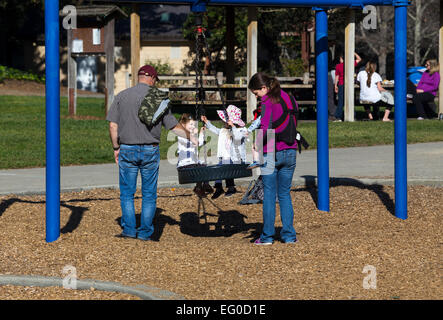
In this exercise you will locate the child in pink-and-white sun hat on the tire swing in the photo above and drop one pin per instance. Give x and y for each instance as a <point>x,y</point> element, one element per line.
<point>231,144</point>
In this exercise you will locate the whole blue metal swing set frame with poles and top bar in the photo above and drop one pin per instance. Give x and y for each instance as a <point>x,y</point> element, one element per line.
<point>52,57</point>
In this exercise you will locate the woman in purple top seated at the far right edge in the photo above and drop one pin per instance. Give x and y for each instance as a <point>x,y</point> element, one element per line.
<point>426,90</point>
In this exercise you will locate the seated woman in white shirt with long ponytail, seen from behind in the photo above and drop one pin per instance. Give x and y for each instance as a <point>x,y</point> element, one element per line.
<point>371,91</point>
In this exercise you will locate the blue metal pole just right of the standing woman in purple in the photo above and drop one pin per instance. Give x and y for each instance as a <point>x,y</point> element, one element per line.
<point>321,79</point>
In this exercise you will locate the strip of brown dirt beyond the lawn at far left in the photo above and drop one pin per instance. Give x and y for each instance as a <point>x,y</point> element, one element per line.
<point>32,88</point>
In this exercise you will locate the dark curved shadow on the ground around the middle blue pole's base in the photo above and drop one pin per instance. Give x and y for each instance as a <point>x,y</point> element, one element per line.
<point>385,198</point>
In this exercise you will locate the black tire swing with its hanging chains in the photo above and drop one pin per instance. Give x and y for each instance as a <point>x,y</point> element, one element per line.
<point>206,173</point>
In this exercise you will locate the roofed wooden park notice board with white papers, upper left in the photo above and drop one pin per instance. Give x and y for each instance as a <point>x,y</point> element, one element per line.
<point>90,33</point>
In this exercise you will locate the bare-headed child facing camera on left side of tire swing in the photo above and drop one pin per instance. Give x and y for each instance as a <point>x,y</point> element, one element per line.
<point>187,152</point>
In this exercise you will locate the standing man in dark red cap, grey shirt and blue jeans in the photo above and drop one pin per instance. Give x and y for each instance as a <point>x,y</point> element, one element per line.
<point>136,148</point>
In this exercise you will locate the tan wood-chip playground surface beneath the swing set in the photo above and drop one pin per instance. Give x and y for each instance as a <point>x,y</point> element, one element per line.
<point>218,261</point>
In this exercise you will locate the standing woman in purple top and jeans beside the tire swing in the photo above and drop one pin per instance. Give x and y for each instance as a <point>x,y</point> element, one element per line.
<point>279,159</point>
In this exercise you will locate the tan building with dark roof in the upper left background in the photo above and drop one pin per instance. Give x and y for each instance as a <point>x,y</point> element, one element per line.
<point>161,40</point>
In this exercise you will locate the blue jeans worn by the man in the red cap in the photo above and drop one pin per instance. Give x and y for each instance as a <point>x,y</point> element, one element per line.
<point>133,158</point>
